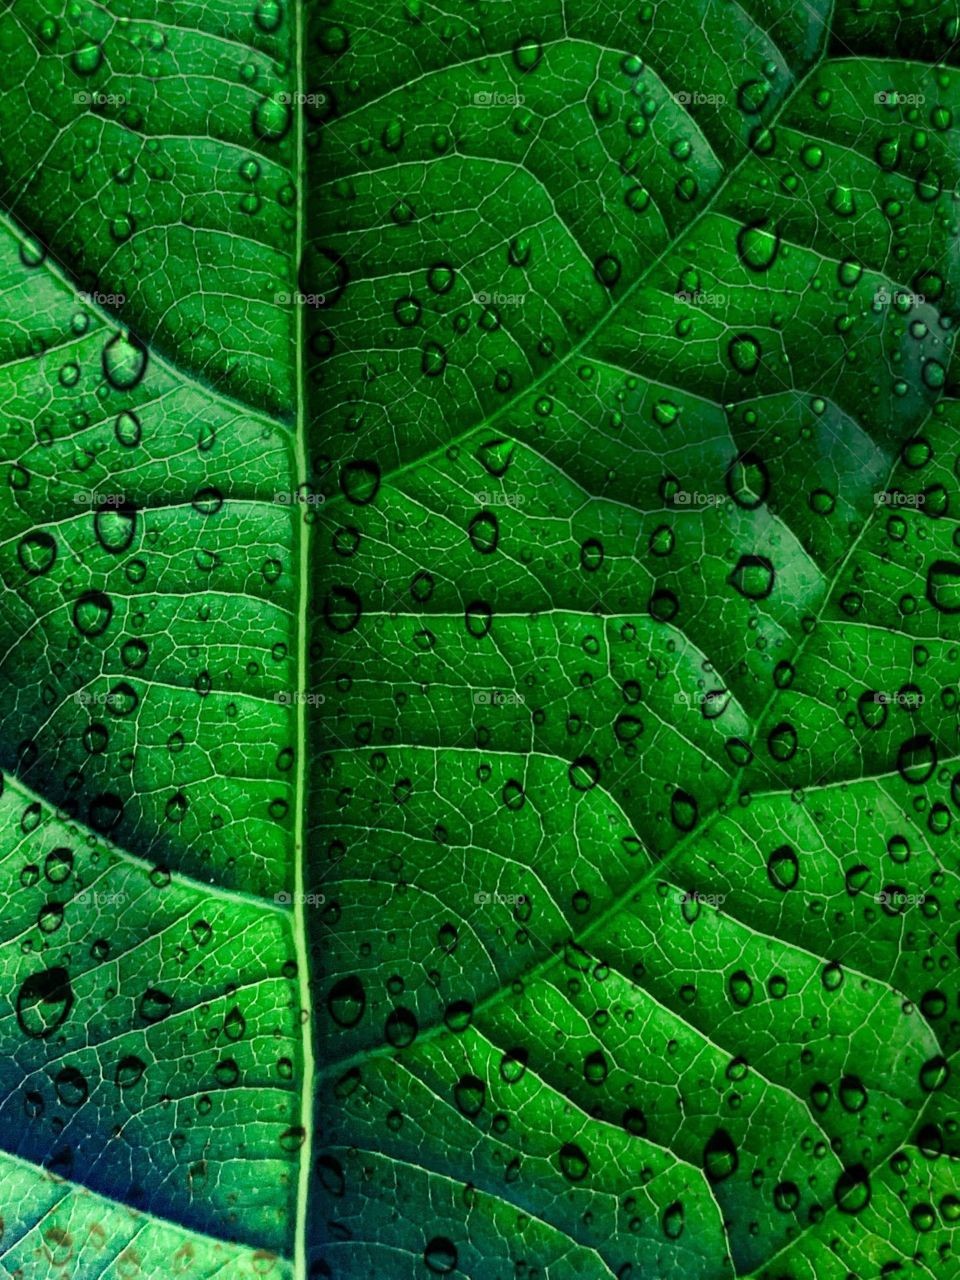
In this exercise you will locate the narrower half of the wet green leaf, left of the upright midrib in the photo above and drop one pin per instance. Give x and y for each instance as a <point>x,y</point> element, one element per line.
<point>154,1060</point>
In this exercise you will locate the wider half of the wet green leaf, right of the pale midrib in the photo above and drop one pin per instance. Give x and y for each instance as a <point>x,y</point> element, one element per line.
<point>641,650</point>
